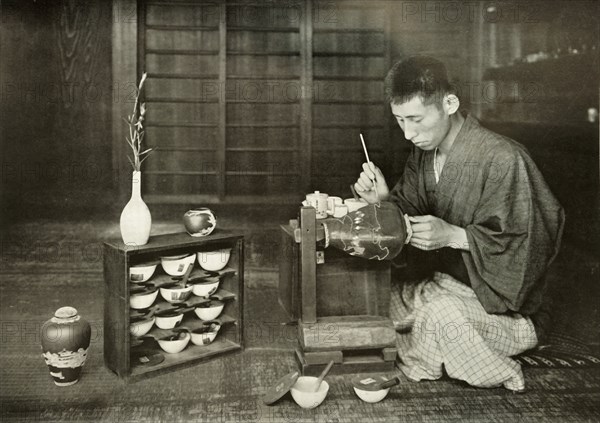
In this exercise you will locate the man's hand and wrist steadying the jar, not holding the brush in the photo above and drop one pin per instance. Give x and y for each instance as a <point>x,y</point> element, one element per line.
<point>432,233</point>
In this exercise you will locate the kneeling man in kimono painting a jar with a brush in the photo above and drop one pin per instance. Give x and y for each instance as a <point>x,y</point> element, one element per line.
<point>484,222</point>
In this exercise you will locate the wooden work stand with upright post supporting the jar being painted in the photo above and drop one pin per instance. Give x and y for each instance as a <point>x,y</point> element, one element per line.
<point>341,303</point>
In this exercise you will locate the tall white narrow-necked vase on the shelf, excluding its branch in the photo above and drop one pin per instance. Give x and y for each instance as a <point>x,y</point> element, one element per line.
<point>136,220</point>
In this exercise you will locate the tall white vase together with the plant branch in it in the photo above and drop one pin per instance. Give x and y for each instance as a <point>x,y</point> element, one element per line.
<point>136,221</point>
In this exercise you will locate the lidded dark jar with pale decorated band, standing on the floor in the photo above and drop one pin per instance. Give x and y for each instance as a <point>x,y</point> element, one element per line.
<point>65,343</point>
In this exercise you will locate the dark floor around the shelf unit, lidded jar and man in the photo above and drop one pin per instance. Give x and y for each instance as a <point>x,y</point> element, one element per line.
<point>48,264</point>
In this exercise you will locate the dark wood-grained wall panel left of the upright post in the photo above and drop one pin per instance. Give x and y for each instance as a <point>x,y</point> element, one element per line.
<point>56,99</point>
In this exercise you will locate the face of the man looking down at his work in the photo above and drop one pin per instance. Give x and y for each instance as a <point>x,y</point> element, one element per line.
<point>426,126</point>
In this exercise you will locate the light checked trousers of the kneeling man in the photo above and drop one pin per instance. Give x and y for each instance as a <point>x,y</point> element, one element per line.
<point>440,322</point>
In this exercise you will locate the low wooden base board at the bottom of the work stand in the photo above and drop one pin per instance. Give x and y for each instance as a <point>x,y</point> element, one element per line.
<point>368,363</point>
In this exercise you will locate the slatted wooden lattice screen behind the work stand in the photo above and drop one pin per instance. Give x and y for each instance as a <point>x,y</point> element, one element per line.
<point>258,101</point>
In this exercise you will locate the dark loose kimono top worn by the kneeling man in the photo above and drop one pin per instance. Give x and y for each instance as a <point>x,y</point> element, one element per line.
<point>491,187</point>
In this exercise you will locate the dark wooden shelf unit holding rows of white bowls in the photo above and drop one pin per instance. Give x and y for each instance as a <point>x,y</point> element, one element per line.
<point>120,347</point>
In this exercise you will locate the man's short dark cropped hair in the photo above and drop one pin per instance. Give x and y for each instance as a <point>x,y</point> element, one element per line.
<point>417,76</point>
